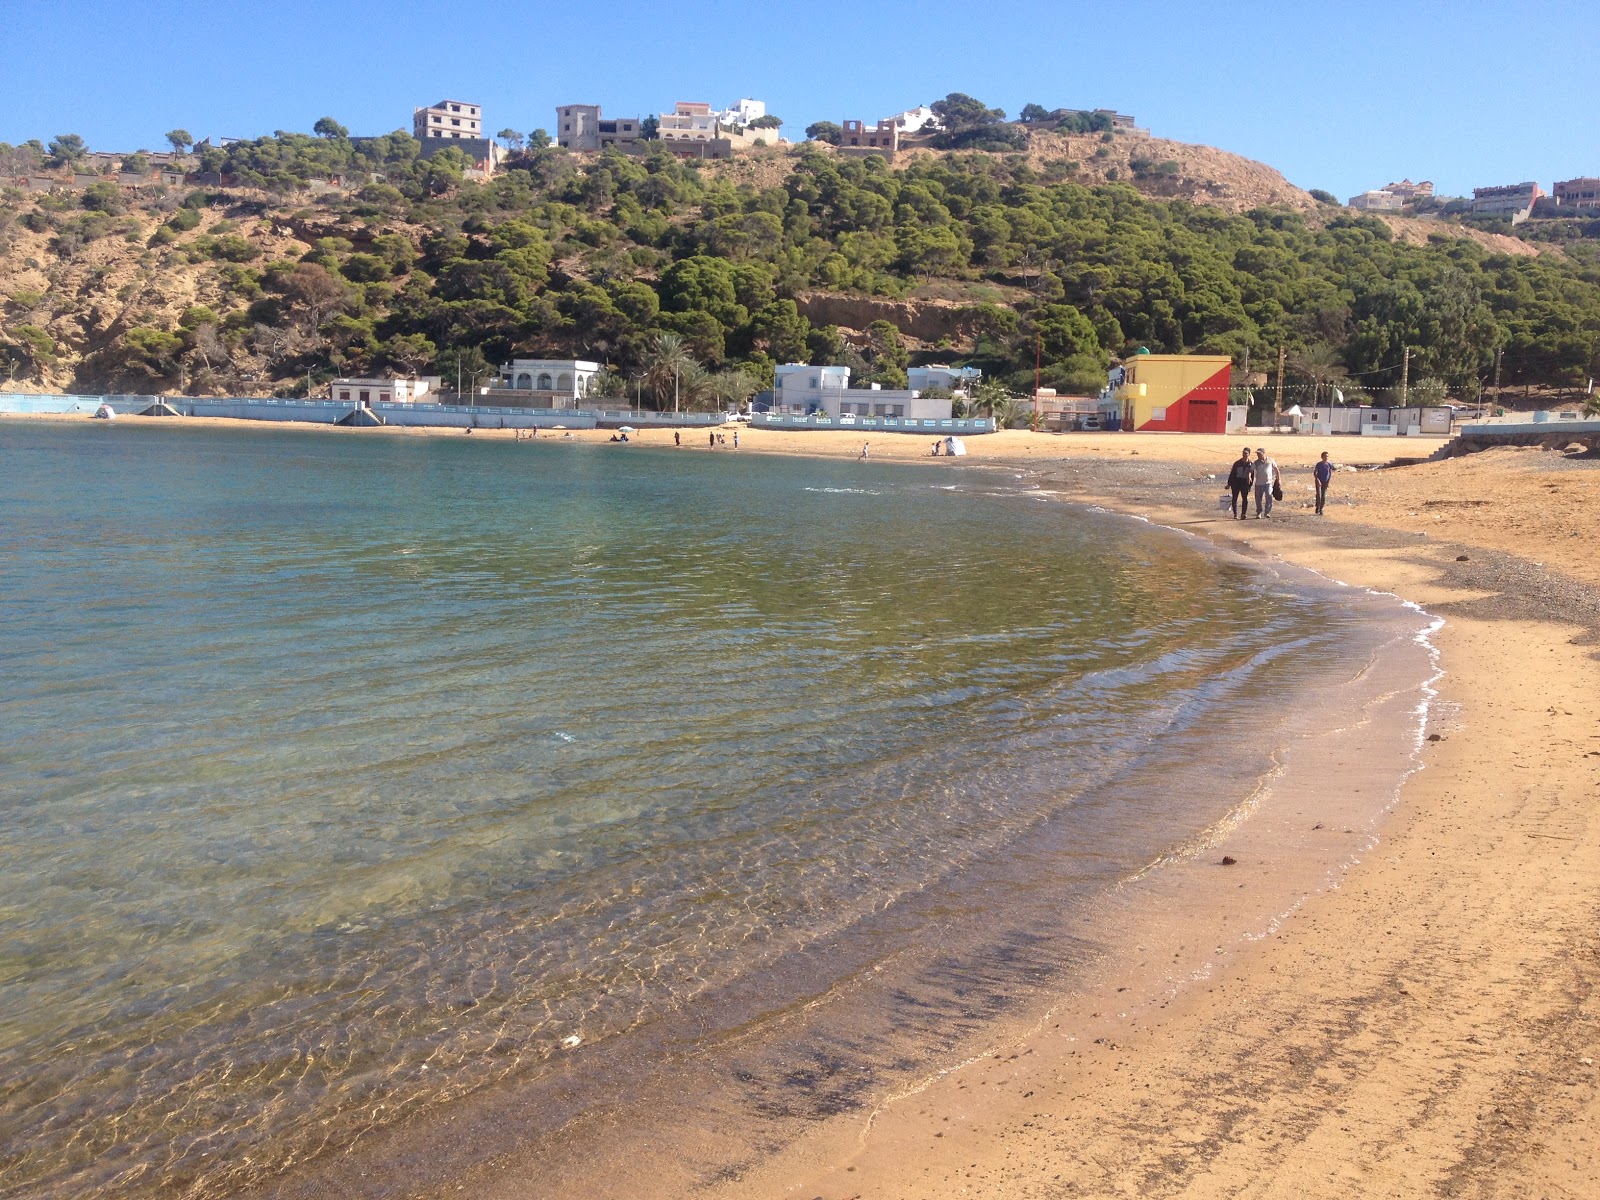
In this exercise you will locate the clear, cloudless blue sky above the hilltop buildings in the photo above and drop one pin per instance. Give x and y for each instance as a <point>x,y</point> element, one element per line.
<point>1335,95</point>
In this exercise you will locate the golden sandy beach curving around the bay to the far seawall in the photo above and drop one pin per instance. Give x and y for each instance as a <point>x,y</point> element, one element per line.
<point>1426,1028</point>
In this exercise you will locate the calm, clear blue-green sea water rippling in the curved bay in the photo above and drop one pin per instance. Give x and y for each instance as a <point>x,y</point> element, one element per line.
<point>345,777</point>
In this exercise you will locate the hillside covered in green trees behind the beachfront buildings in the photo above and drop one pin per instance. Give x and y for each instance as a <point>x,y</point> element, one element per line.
<point>601,257</point>
